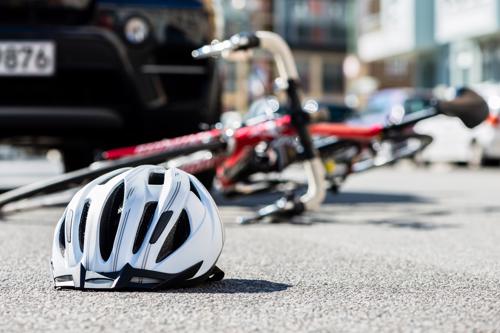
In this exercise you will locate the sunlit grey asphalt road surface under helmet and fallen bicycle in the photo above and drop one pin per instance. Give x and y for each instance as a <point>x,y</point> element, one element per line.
<point>398,250</point>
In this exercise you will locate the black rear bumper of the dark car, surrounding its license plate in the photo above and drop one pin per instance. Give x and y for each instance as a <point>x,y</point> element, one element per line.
<point>98,82</point>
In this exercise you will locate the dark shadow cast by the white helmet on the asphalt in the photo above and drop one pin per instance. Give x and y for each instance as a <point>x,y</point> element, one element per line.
<point>236,286</point>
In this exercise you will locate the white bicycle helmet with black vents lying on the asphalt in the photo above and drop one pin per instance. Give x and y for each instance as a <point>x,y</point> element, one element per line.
<point>146,227</point>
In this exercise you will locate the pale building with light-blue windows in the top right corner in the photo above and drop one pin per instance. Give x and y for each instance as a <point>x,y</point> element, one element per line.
<point>471,30</point>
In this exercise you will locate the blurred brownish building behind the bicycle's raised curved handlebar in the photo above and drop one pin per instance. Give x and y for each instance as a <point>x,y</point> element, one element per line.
<point>316,31</point>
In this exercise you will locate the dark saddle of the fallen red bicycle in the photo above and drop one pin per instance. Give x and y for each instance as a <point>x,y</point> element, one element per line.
<point>471,108</point>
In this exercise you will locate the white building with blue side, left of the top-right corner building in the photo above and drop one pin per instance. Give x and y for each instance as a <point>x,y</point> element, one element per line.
<point>395,40</point>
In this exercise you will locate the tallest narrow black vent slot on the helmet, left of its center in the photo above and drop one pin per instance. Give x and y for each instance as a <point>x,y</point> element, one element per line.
<point>110,220</point>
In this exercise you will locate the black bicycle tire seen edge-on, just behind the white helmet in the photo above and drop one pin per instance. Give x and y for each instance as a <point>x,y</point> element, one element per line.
<point>77,177</point>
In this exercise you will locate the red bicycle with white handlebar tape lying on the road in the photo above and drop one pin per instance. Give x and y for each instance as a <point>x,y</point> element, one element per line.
<point>232,151</point>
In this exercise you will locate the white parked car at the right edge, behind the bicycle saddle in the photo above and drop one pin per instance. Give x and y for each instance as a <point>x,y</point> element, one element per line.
<point>453,142</point>
